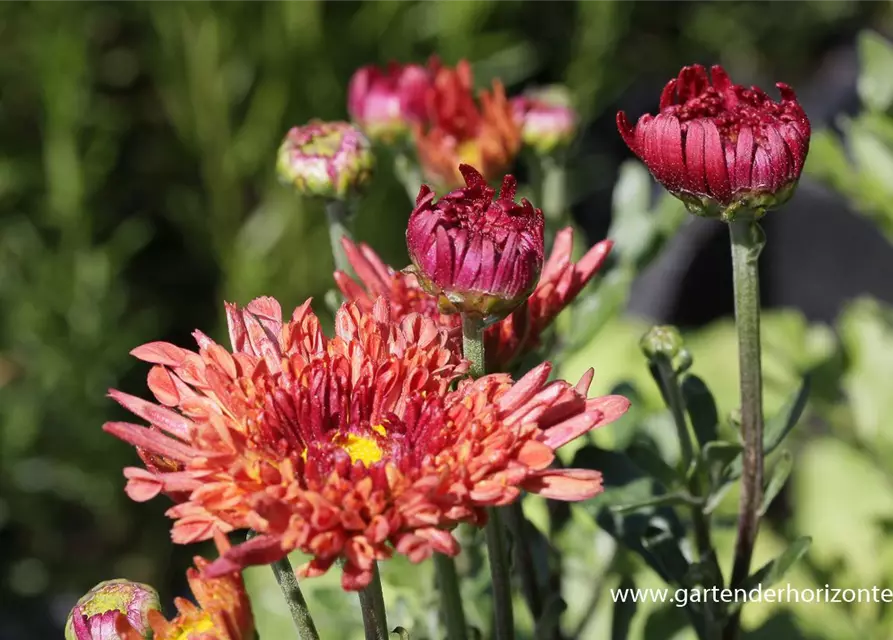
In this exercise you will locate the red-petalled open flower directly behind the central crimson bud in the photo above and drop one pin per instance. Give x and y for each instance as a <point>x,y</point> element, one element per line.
<point>506,341</point>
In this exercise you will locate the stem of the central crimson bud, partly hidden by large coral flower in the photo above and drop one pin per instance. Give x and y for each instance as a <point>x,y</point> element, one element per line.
<point>473,348</point>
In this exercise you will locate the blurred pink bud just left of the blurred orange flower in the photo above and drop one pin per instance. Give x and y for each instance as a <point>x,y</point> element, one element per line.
<point>386,104</point>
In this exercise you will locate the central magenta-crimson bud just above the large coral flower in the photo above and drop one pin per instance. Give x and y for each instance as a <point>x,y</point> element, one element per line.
<point>477,255</point>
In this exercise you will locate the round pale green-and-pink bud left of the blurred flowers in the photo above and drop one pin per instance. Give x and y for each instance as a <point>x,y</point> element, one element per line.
<point>326,159</point>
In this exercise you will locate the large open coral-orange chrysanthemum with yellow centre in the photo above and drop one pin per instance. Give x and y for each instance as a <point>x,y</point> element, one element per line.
<point>350,447</point>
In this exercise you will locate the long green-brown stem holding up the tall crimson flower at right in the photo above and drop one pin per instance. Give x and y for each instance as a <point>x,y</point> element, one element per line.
<point>747,242</point>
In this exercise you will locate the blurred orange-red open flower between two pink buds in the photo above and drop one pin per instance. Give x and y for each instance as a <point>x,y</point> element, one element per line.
<point>458,131</point>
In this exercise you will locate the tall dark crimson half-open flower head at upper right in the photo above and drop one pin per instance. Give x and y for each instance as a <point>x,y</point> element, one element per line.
<point>722,148</point>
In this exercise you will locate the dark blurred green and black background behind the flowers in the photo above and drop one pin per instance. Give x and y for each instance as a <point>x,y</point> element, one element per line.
<point>137,191</point>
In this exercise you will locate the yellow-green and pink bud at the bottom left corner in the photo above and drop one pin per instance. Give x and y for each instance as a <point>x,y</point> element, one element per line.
<point>95,614</point>
